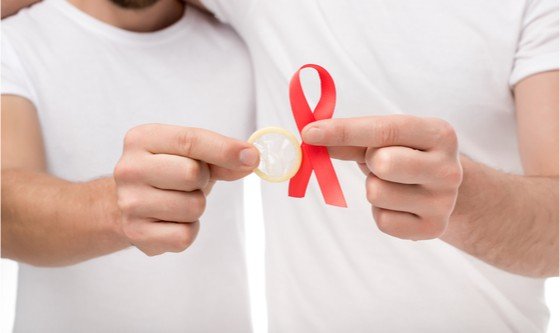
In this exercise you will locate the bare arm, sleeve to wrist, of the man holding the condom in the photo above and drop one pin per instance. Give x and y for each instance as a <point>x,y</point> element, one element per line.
<point>48,221</point>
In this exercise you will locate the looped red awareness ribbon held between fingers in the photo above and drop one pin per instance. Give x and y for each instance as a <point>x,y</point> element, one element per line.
<point>315,158</point>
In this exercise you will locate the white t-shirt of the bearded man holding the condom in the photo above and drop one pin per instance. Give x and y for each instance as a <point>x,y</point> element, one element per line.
<point>90,83</point>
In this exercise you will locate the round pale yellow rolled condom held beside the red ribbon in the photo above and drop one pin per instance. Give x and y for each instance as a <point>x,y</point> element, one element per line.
<point>280,154</point>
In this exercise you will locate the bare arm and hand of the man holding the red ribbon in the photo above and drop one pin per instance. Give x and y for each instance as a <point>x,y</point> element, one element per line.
<point>420,187</point>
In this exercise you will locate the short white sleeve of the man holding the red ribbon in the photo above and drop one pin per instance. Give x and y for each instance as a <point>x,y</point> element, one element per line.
<point>537,49</point>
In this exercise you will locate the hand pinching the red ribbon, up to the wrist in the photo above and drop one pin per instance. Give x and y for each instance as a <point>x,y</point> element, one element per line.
<point>412,166</point>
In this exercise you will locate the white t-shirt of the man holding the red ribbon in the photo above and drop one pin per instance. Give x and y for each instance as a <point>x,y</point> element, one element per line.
<point>330,269</point>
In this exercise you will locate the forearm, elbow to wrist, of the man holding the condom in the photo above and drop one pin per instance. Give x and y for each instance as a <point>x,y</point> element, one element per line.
<point>47,221</point>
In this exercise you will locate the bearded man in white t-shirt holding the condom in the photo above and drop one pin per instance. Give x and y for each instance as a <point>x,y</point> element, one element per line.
<point>77,76</point>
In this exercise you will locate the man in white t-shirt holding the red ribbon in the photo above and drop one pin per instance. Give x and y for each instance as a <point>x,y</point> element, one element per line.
<point>489,70</point>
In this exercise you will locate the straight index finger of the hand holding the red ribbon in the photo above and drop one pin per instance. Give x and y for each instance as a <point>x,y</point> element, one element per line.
<point>380,131</point>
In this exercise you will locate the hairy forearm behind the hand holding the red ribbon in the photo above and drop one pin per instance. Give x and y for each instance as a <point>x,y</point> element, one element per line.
<point>508,221</point>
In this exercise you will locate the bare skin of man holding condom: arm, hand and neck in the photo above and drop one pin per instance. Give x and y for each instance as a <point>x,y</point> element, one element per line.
<point>47,221</point>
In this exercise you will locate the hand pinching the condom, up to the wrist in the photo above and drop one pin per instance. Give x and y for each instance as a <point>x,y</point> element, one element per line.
<point>164,176</point>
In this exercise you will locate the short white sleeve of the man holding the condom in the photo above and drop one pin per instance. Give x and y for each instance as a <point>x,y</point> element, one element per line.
<point>15,80</point>
